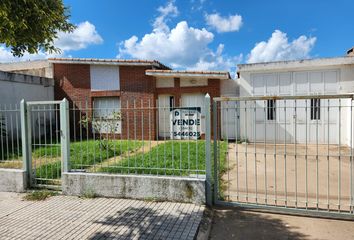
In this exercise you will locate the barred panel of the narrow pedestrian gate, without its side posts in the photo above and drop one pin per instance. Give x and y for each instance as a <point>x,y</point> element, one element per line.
<point>44,135</point>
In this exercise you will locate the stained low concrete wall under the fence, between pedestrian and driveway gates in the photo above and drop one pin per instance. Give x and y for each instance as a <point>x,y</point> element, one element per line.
<point>181,189</point>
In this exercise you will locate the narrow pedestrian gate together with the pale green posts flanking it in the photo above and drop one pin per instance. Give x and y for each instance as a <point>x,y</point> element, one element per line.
<point>46,145</point>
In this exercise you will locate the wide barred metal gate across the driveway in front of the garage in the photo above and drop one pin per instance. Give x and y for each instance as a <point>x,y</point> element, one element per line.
<point>290,153</point>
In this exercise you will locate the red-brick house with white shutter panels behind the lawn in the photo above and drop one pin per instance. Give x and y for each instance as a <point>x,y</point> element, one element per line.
<point>145,92</point>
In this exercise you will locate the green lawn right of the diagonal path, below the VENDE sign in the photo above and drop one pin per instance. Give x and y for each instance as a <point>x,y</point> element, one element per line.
<point>170,158</point>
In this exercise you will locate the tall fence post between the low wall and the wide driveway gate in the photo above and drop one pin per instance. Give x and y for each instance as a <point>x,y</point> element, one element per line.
<point>207,150</point>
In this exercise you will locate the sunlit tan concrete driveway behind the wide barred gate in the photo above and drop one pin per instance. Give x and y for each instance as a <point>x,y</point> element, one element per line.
<point>281,179</point>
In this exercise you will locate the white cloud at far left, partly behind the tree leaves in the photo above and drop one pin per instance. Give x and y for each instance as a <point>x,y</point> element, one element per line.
<point>84,35</point>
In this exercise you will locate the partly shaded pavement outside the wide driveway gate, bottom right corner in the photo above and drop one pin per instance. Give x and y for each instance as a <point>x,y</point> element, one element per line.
<point>232,223</point>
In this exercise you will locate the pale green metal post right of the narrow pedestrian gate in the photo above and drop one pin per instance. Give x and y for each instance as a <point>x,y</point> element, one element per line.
<point>65,135</point>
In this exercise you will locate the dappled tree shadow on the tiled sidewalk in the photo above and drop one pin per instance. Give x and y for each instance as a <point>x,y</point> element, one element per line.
<point>149,223</point>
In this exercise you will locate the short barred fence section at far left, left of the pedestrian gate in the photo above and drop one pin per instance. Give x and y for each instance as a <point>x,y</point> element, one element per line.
<point>10,136</point>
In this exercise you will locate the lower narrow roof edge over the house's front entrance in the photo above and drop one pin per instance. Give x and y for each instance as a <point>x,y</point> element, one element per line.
<point>196,74</point>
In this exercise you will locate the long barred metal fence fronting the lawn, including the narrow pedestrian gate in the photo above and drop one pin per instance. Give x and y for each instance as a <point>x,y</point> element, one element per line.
<point>50,137</point>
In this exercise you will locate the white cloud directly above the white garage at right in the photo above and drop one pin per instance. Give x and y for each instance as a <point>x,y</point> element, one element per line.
<point>279,48</point>
